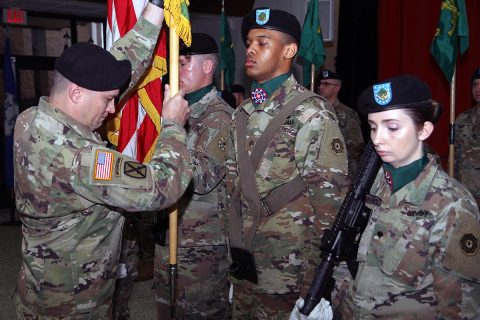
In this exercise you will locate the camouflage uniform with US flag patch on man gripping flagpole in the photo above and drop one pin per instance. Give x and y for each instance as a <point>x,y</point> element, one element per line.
<point>69,200</point>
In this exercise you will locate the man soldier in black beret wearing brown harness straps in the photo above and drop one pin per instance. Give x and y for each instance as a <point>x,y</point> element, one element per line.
<point>284,184</point>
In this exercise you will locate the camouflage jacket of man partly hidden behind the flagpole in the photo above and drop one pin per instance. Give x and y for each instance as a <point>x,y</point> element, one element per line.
<point>202,208</point>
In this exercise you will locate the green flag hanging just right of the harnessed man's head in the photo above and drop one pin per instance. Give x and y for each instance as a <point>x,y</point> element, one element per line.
<point>311,44</point>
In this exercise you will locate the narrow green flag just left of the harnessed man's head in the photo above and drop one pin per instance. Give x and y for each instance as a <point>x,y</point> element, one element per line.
<point>227,55</point>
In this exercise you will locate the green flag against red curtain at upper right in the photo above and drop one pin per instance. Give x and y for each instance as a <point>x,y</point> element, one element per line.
<point>450,35</point>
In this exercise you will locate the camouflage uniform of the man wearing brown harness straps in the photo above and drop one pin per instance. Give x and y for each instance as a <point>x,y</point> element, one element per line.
<point>286,253</point>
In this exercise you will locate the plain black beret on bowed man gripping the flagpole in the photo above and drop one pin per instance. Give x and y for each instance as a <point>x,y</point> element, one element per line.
<point>93,67</point>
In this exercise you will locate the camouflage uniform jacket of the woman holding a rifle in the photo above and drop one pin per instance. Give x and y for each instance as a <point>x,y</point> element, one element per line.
<point>419,254</point>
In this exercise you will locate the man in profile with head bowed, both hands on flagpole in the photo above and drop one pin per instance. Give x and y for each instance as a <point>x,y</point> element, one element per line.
<point>72,190</point>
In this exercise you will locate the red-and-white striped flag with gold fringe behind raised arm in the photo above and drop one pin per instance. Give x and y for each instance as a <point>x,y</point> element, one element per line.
<point>136,126</point>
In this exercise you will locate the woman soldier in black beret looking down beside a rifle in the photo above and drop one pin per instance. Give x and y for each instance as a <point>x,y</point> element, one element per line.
<point>424,227</point>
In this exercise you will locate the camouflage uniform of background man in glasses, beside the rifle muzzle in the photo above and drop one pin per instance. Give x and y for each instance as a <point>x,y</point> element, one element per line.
<point>349,123</point>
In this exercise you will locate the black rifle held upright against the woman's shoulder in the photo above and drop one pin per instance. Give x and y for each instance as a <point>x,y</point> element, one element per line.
<point>341,241</point>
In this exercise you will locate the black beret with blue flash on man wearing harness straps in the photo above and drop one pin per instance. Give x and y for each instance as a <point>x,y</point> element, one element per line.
<point>266,18</point>
